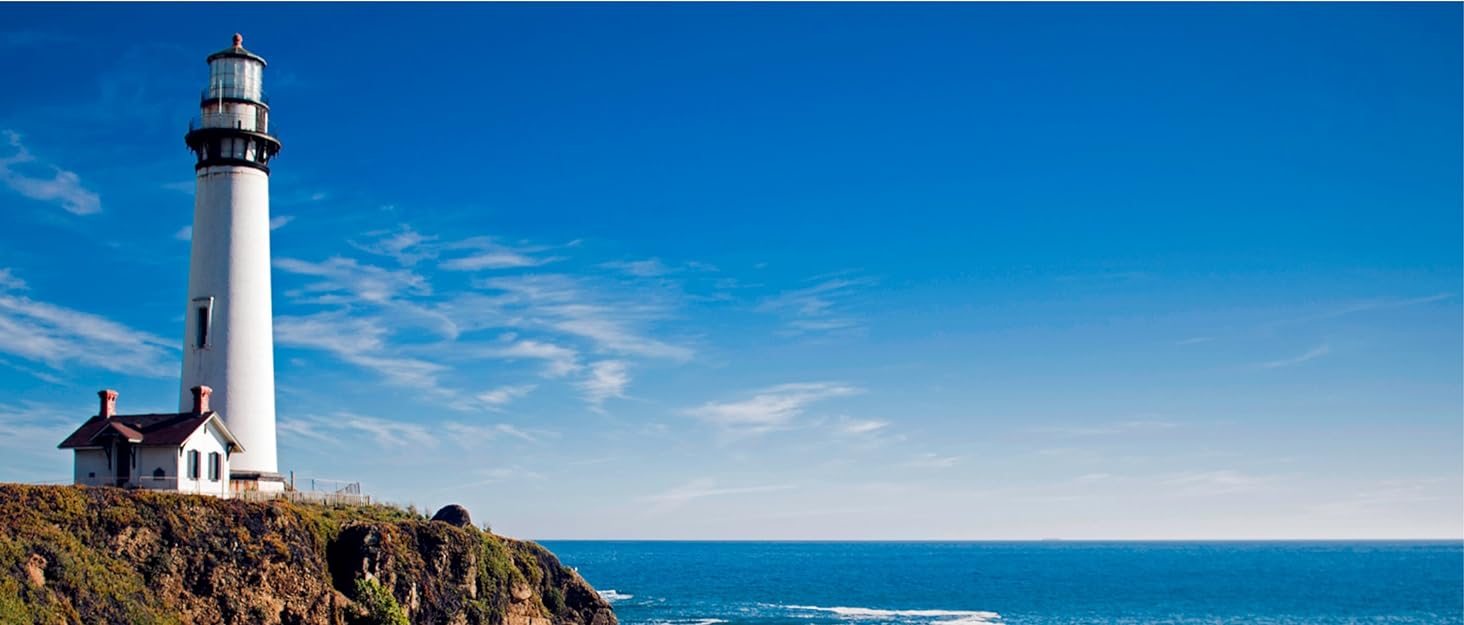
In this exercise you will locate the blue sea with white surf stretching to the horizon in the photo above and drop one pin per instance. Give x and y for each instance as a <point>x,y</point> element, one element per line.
<point>1039,583</point>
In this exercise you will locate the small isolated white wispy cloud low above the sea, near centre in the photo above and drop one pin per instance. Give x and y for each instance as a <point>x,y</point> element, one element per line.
<point>771,409</point>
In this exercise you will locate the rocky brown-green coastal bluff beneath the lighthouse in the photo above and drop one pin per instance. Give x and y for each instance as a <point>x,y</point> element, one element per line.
<point>97,555</point>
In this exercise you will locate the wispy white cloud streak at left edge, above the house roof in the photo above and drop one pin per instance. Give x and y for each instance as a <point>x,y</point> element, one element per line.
<point>58,337</point>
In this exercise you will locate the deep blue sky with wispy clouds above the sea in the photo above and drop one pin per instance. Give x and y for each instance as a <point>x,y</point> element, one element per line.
<point>784,272</point>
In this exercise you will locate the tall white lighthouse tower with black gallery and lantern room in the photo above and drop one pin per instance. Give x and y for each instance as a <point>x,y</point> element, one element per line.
<point>231,334</point>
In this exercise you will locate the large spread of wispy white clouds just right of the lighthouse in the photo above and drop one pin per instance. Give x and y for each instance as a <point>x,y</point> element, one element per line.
<point>589,329</point>
